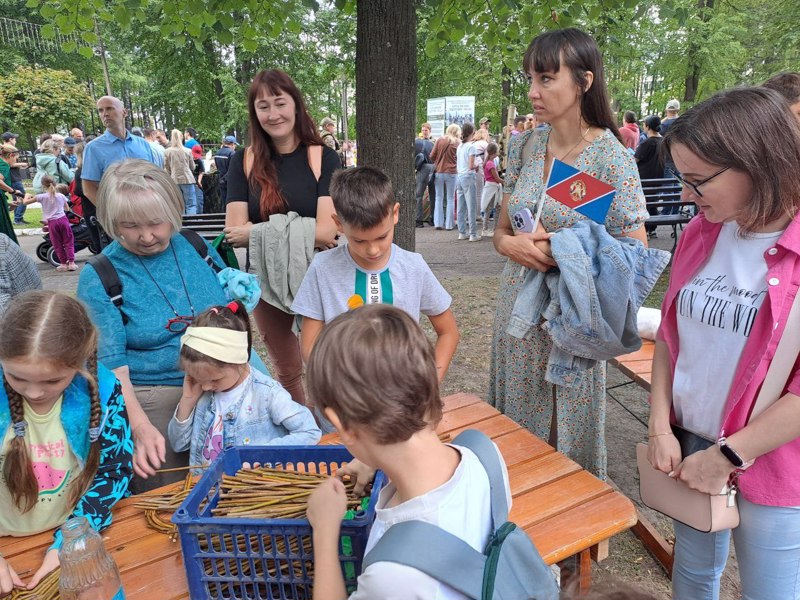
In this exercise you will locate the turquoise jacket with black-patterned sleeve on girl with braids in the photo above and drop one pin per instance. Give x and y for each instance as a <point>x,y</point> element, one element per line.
<point>114,473</point>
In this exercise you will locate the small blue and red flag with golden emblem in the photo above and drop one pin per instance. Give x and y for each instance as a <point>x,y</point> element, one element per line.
<point>580,191</point>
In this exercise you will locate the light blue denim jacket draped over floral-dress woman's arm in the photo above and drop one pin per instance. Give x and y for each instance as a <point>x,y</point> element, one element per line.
<point>589,303</point>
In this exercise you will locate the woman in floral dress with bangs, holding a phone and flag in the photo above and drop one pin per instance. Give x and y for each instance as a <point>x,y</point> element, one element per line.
<point>568,93</point>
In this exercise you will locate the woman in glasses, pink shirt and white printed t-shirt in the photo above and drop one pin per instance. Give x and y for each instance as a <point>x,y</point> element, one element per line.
<point>734,276</point>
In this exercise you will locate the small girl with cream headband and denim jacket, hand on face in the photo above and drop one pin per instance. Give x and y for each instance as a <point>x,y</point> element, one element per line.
<point>225,403</point>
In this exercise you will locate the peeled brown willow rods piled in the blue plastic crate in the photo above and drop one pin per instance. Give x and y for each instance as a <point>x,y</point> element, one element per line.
<point>267,493</point>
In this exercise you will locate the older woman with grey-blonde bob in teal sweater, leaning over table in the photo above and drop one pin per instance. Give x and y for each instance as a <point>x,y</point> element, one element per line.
<point>165,284</point>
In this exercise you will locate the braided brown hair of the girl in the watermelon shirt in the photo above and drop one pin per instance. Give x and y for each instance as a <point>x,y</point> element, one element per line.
<point>47,326</point>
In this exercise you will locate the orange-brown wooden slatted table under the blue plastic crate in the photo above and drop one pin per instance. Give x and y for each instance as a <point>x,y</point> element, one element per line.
<point>566,511</point>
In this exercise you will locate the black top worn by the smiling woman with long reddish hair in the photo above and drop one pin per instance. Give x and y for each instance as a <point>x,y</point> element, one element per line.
<point>295,178</point>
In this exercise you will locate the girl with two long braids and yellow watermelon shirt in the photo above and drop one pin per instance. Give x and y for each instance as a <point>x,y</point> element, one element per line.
<point>65,441</point>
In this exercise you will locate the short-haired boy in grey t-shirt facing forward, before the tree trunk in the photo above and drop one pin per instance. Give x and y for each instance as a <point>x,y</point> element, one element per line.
<point>370,269</point>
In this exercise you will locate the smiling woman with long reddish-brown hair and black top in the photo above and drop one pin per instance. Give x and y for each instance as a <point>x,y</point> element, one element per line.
<point>286,168</point>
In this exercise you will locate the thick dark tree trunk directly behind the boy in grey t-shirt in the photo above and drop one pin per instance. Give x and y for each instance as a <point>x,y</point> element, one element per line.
<point>386,91</point>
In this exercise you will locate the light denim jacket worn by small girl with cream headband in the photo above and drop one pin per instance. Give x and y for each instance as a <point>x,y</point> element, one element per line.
<point>265,415</point>
